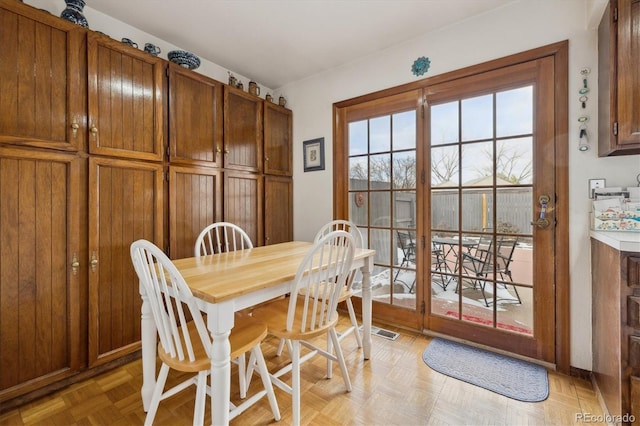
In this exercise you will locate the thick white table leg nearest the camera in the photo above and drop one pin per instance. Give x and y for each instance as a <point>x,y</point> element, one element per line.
<point>220,322</point>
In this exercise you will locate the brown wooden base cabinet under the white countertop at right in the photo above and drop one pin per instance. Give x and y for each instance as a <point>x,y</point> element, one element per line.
<point>616,327</point>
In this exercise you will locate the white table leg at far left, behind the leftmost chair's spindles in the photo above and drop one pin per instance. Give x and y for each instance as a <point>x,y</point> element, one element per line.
<point>149,347</point>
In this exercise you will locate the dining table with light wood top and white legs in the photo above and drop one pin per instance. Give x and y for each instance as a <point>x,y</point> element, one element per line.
<point>228,282</point>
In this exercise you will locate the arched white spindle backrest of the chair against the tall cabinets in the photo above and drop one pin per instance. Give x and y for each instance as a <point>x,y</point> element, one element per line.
<point>221,237</point>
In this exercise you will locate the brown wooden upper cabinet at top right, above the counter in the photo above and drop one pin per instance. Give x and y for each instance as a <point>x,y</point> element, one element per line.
<point>618,79</point>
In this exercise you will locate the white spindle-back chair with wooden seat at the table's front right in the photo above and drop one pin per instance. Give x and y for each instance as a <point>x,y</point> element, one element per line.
<point>311,310</point>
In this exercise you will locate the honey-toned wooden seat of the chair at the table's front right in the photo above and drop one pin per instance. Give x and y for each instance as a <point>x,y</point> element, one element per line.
<point>274,315</point>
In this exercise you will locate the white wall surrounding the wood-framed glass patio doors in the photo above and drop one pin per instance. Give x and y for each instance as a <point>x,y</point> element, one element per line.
<point>510,29</point>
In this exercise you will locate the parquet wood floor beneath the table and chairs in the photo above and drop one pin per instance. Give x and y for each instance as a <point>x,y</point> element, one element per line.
<point>395,387</point>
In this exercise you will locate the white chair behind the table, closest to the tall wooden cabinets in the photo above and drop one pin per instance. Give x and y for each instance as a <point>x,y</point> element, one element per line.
<point>222,237</point>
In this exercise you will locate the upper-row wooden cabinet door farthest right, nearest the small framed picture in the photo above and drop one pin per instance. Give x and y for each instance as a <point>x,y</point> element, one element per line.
<point>278,157</point>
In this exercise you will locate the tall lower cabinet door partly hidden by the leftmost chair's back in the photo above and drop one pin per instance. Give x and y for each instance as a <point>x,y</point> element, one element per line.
<point>125,204</point>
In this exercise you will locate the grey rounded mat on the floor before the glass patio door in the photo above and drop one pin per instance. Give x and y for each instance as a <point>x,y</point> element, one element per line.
<point>501,374</point>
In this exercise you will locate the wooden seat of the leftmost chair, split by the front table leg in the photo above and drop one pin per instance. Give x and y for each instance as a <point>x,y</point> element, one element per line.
<point>247,332</point>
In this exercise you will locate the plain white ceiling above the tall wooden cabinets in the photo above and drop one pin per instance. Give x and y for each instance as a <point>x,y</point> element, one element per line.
<point>276,42</point>
